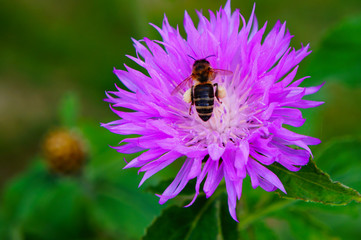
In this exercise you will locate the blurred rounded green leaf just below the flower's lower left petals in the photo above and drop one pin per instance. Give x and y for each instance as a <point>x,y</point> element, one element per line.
<point>123,212</point>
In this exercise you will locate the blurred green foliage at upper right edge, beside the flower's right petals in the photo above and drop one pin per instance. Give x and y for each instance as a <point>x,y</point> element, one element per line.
<point>336,60</point>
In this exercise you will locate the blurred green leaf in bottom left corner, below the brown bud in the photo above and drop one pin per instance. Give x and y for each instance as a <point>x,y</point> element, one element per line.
<point>36,199</point>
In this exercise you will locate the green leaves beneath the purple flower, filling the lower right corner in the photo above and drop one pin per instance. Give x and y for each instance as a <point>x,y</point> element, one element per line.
<point>265,216</point>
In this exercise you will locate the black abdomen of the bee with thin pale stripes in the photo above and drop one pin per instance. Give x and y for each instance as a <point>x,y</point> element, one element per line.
<point>203,100</point>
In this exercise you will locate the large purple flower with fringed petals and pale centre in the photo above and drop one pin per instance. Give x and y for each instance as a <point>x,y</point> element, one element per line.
<point>247,128</point>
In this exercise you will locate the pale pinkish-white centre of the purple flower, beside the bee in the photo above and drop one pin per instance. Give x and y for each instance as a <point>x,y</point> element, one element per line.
<point>233,120</point>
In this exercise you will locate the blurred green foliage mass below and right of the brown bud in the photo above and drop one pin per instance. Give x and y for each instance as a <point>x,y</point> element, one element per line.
<point>100,203</point>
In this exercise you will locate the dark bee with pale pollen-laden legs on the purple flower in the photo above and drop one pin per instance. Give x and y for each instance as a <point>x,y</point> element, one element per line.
<point>202,92</point>
